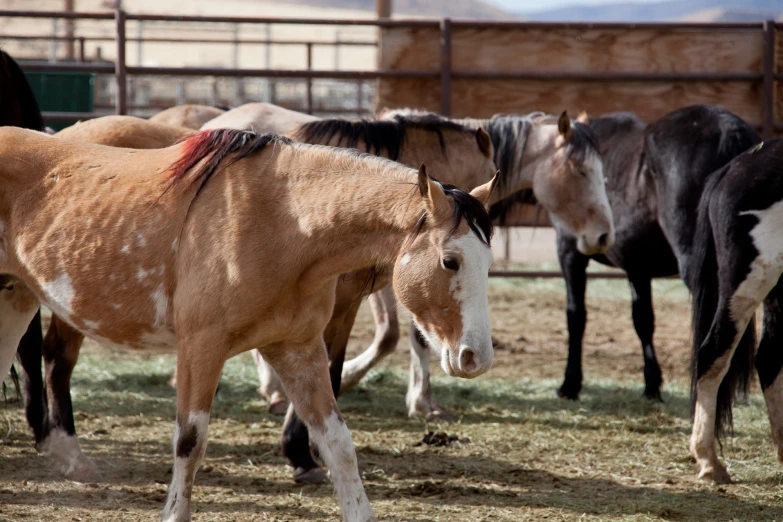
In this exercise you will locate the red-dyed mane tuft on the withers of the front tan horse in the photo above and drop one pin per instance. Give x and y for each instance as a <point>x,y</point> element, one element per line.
<point>219,148</point>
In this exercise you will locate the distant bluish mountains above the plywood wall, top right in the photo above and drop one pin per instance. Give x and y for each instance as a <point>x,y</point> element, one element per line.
<point>709,10</point>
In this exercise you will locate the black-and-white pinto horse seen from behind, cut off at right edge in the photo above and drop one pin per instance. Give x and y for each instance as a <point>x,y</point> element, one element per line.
<point>735,265</point>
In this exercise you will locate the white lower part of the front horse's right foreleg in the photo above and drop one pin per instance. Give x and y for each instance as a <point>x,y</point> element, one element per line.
<point>337,450</point>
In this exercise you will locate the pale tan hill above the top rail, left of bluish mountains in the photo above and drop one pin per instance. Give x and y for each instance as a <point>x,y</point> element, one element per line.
<point>471,9</point>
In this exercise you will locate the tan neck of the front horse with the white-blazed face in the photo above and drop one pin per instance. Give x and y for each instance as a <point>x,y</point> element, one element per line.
<point>360,209</point>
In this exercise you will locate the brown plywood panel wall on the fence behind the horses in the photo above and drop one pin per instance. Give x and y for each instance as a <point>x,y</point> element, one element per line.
<point>648,69</point>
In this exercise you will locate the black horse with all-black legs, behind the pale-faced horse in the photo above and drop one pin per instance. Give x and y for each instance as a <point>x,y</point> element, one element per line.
<point>654,178</point>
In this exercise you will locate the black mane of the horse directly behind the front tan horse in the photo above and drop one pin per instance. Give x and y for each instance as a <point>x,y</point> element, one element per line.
<point>378,135</point>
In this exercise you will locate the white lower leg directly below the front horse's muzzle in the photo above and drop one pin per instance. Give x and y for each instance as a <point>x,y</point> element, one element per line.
<point>419,398</point>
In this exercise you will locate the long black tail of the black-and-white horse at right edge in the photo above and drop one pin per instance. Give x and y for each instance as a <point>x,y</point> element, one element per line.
<point>703,283</point>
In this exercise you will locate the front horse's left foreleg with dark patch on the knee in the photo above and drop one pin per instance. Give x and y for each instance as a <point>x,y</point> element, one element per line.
<point>199,364</point>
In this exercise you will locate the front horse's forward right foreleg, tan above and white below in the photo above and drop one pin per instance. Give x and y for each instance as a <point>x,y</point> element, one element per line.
<point>305,374</point>
